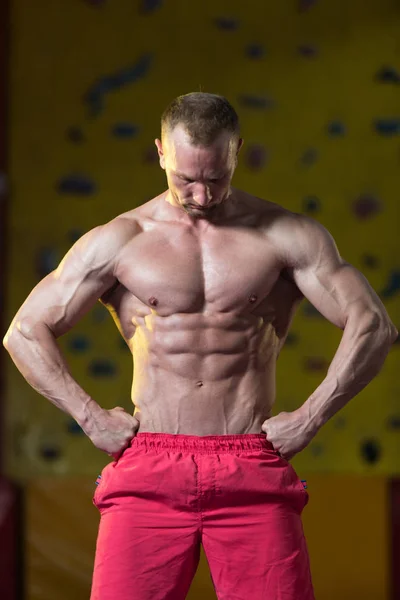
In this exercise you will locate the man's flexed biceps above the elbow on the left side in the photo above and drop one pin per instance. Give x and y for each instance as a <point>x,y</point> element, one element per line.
<point>59,302</point>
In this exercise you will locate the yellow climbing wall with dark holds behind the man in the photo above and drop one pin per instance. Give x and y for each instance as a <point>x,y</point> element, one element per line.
<point>317,89</point>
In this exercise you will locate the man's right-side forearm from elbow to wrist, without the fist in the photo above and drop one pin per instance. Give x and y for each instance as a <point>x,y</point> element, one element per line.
<point>360,356</point>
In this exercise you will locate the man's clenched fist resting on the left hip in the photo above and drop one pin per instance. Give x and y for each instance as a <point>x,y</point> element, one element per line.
<point>112,430</point>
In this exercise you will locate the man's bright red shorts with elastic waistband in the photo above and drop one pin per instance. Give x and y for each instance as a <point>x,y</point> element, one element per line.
<point>168,494</point>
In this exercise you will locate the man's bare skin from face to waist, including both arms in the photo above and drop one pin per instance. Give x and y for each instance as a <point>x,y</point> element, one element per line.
<point>202,282</point>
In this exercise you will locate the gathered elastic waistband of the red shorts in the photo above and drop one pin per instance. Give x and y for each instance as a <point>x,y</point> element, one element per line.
<point>208,444</point>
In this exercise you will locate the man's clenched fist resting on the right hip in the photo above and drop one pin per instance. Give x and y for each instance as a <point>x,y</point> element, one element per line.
<point>289,433</point>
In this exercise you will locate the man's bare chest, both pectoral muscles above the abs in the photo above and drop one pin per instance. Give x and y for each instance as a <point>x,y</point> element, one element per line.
<point>177,271</point>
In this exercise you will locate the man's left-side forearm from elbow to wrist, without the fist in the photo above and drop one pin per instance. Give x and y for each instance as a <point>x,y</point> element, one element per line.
<point>37,356</point>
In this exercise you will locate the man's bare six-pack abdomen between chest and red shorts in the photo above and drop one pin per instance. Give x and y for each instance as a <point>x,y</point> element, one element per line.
<point>203,374</point>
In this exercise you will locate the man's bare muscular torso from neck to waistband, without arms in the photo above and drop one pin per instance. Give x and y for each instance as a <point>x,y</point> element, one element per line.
<point>205,311</point>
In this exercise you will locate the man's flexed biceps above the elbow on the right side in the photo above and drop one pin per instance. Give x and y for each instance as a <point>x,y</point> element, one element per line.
<point>339,293</point>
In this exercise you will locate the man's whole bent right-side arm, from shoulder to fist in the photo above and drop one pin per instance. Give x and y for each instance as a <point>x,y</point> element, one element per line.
<point>342,295</point>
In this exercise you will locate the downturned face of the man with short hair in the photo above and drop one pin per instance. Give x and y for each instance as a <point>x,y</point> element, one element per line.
<point>199,178</point>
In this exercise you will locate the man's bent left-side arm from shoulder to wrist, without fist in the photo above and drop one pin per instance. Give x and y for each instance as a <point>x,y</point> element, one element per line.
<point>53,307</point>
